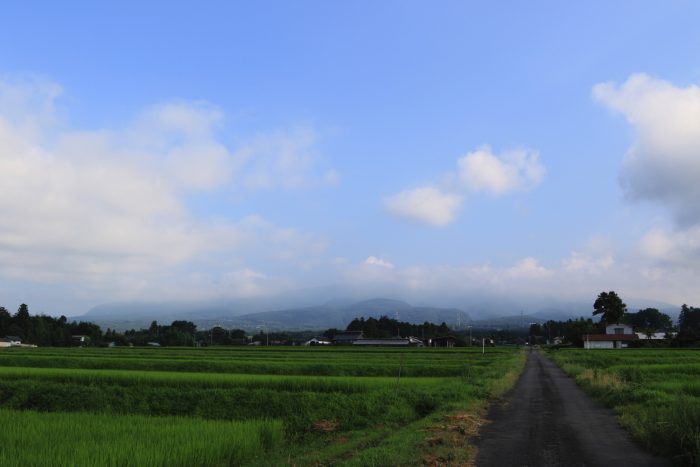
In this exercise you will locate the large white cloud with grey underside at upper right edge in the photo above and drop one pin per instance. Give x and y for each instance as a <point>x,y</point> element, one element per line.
<point>663,164</point>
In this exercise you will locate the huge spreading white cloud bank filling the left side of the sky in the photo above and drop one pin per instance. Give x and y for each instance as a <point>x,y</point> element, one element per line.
<point>107,209</point>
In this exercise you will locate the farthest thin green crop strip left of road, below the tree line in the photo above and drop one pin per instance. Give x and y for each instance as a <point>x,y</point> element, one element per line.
<point>424,363</point>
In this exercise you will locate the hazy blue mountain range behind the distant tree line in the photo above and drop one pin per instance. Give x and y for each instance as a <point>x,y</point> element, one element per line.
<point>316,309</point>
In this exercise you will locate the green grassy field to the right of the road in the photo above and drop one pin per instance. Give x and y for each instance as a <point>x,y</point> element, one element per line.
<point>655,392</point>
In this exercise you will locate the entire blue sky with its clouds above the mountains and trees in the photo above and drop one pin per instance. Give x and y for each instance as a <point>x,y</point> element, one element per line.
<point>220,149</point>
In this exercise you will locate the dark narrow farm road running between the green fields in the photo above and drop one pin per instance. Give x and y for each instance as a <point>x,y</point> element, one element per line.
<point>547,420</point>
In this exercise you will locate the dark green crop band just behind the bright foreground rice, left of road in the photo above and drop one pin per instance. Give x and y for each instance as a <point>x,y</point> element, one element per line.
<point>389,403</point>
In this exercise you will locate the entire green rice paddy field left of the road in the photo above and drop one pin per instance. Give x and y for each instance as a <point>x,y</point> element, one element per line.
<point>238,406</point>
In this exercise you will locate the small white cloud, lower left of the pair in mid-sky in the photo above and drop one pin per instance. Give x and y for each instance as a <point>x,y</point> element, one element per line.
<point>426,205</point>
